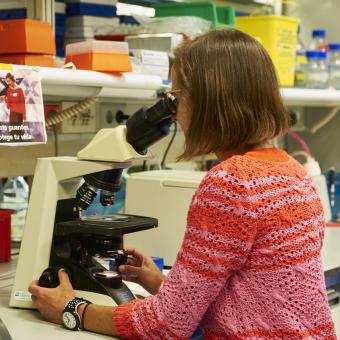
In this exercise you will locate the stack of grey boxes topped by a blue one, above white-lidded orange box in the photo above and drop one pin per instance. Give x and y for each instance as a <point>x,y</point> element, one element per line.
<point>84,17</point>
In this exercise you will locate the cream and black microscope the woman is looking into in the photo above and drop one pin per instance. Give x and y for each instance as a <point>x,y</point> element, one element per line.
<point>57,234</point>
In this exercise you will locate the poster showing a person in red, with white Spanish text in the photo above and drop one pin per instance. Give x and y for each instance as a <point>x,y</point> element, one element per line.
<point>22,119</point>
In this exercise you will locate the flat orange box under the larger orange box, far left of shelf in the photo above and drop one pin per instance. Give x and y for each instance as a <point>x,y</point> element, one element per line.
<point>28,59</point>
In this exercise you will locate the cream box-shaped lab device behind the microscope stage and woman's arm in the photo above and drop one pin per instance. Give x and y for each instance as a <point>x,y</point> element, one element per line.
<point>165,195</point>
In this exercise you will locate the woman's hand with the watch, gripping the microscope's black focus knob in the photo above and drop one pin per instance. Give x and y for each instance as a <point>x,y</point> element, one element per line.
<point>51,301</point>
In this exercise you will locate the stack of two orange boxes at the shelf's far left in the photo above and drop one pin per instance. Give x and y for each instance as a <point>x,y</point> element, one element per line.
<point>26,42</point>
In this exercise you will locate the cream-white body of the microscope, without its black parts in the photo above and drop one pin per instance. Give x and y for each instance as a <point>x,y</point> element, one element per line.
<point>55,179</point>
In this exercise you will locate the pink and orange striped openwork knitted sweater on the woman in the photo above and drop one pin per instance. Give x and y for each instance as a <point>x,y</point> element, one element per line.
<point>249,266</point>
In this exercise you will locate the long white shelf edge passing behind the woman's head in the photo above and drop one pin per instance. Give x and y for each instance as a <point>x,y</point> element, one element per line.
<point>66,83</point>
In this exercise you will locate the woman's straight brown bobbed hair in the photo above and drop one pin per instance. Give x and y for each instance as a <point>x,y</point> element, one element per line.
<point>230,82</point>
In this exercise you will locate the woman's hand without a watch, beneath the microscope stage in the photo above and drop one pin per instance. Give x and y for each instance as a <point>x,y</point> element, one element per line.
<point>142,270</point>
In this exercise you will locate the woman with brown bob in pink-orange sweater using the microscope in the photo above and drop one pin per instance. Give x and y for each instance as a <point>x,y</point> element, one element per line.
<point>249,266</point>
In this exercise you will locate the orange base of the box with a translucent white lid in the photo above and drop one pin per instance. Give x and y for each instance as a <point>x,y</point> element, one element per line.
<point>101,61</point>
